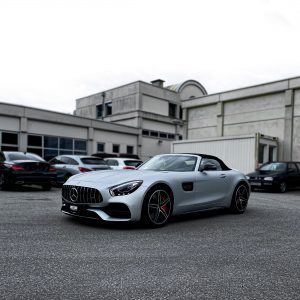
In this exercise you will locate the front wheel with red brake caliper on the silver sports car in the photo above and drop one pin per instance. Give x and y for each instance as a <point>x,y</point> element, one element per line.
<point>157,207</point>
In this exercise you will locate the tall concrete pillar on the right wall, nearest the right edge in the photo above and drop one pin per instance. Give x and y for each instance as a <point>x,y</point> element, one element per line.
<point>288,125</point>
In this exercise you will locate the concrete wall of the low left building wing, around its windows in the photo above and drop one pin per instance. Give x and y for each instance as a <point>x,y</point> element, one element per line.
<point>26,120</point>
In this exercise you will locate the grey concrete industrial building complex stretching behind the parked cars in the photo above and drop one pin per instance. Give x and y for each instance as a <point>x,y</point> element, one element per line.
<point>145,118</point>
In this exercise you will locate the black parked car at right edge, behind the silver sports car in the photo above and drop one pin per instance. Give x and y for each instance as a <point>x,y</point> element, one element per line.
<point>276,176</point>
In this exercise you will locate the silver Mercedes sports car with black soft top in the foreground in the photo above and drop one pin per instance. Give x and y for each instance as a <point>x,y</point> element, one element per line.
<point>166,185</point>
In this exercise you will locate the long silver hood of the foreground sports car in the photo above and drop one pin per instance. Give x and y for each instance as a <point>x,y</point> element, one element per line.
<point>112,177</point>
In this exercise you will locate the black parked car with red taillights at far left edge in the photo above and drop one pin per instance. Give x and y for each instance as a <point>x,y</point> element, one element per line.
<point>20,168</point>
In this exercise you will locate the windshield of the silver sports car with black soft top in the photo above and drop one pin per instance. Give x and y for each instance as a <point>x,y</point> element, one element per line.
<point>176,163</point>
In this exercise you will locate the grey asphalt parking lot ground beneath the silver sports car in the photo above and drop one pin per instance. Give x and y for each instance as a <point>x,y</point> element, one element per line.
<point>213,255</point>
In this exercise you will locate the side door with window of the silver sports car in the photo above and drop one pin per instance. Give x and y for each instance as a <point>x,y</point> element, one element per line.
<point>212,183</point>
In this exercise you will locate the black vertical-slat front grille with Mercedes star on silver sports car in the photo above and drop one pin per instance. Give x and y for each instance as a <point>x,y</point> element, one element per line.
<point>81,195</point>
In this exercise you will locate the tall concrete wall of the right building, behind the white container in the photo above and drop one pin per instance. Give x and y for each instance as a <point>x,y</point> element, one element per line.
<point>272,109</point>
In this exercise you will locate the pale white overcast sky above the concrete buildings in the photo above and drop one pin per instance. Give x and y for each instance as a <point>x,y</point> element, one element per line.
<point>53,52</point>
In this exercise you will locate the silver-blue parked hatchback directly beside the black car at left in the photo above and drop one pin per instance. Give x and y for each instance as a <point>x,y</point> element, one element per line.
<point>68,165</point>
